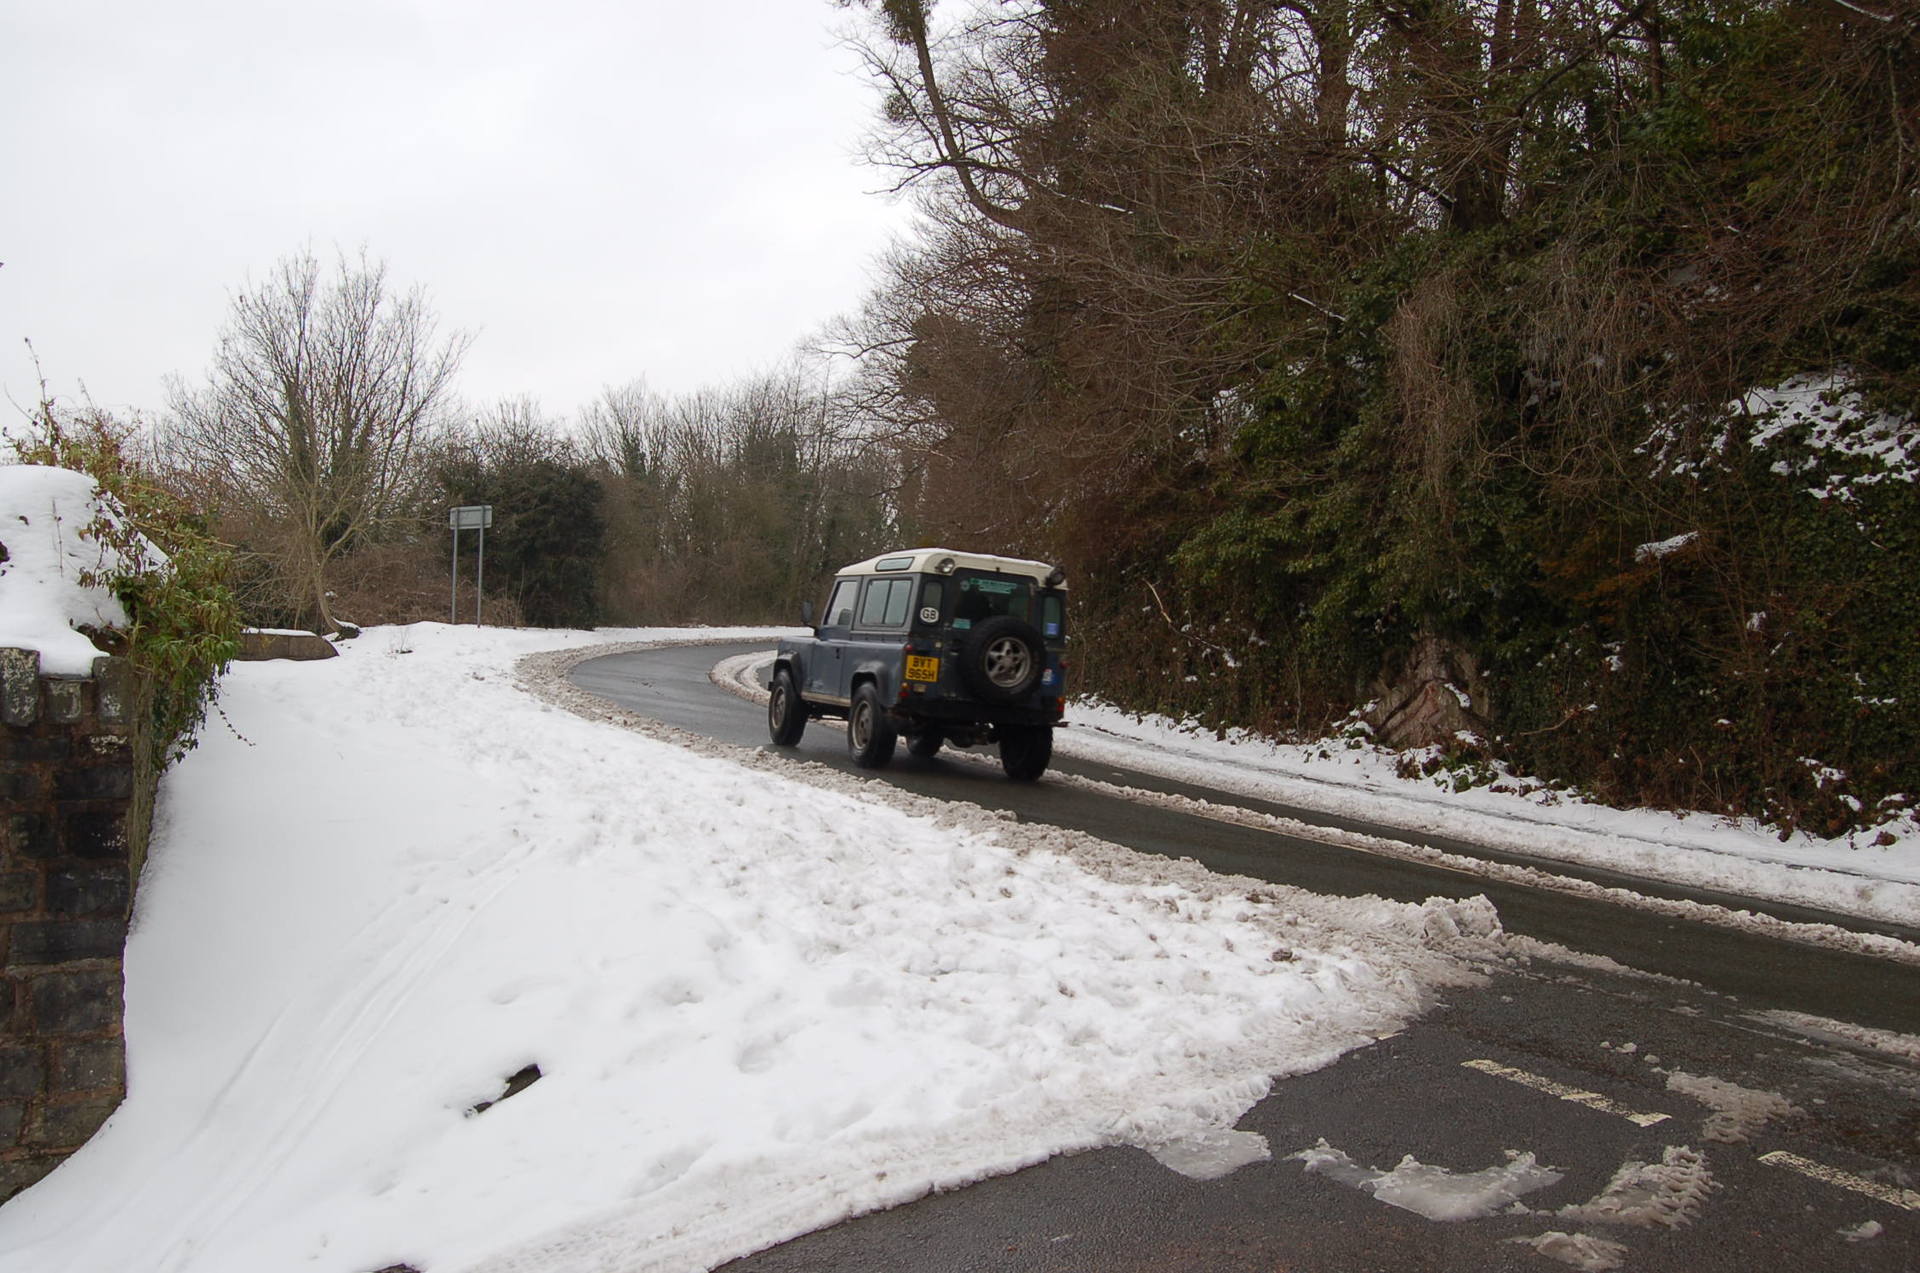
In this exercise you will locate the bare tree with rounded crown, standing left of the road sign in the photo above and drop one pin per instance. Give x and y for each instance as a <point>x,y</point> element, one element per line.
<point>312,421</point>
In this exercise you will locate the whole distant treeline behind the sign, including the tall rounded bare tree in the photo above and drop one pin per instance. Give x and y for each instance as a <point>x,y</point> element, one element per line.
<point>325,448</point>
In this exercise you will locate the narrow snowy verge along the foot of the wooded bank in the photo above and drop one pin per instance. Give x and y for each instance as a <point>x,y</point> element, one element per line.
<point>1865,882</point>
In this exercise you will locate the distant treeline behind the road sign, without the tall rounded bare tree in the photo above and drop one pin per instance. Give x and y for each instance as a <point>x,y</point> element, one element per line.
<point>715,508</point>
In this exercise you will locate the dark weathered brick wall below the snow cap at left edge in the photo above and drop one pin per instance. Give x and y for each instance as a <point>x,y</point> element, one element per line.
<point>66,894</point>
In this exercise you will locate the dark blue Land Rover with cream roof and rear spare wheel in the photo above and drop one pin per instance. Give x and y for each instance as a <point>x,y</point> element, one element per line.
<point>940,648</point>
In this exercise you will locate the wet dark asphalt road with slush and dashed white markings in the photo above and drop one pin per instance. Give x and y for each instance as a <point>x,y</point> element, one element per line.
<point>1535,1036</point>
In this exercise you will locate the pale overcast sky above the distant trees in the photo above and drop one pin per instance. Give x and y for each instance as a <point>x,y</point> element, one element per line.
<point>598,189</point>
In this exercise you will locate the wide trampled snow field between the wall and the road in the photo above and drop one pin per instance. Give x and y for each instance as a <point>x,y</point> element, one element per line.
<point>757,1005</point>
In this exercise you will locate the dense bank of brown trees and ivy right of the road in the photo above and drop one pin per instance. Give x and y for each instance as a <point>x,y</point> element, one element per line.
<point>1395,402</point>
